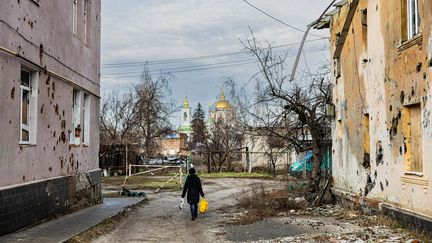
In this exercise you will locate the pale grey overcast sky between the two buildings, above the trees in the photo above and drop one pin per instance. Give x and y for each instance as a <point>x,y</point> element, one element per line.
<point>160,30</point>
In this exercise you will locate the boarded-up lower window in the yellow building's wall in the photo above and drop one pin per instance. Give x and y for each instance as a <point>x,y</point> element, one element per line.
<point>413,136</point>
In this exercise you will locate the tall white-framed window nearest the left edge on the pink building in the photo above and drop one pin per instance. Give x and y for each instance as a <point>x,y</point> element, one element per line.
<point>28,104</point>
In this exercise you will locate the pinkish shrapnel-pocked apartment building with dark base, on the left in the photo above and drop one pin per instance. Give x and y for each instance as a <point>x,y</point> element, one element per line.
<point>49,105</point>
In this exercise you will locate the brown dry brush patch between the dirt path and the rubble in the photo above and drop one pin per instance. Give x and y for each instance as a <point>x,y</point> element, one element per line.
<point>260,204</point>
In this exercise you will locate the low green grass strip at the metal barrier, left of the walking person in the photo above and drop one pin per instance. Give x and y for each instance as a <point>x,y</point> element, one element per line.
<point>142,182</point>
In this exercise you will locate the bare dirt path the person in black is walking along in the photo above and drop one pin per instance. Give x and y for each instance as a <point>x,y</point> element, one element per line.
<point>161,220</point>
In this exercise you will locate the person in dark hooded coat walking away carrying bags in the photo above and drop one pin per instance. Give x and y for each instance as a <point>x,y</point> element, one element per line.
<point>194,190</point>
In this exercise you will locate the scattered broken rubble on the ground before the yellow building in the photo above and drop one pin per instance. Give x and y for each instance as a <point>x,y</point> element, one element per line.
<point>333,223</point>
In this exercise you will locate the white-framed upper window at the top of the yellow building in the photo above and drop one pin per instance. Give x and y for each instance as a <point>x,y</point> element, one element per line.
<point>410,19</point>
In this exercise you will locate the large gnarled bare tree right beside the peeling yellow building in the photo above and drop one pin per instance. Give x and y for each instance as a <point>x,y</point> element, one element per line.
<point>299,105</point>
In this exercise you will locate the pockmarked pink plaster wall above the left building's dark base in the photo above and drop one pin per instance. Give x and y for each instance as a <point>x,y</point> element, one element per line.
<point>39,37</point>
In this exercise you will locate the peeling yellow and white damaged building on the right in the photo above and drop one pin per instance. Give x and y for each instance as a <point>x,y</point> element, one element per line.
<point>381,53</point>
